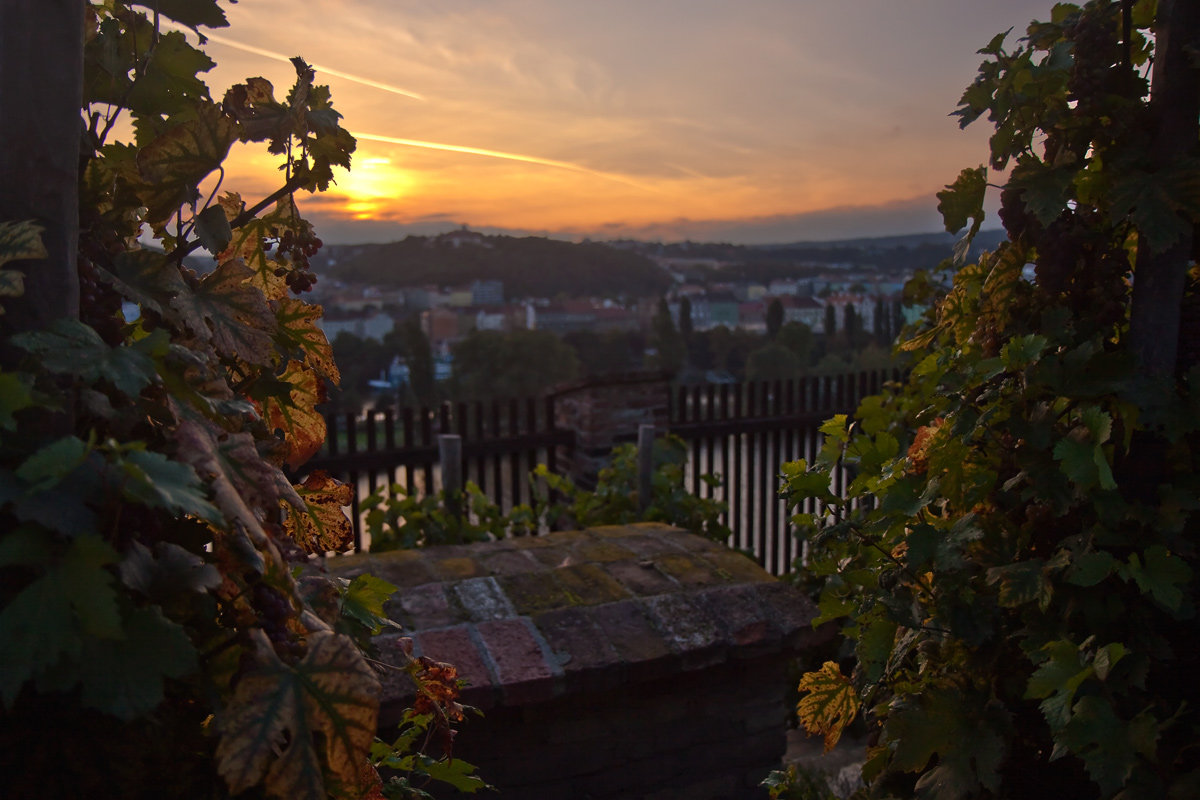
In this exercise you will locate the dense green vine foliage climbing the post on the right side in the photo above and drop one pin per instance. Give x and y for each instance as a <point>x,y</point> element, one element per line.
<point>1016,557</point>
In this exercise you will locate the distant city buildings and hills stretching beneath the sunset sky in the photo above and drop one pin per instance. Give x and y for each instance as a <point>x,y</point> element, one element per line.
<point>611,291</point>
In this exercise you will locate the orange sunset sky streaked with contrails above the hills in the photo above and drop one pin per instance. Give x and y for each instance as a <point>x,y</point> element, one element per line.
<point>749,122</point>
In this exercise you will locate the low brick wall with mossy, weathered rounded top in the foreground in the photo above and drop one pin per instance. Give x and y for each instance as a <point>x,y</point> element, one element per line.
<point>632,661</point>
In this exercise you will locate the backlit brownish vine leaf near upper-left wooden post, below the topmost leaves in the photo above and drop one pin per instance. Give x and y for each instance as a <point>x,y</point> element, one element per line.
<point>176,163</point>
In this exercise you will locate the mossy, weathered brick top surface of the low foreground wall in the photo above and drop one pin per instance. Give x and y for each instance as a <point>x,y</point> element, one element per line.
<point>531,619</point>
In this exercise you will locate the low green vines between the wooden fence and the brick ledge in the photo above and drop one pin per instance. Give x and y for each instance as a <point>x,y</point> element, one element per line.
<point>397,520</point>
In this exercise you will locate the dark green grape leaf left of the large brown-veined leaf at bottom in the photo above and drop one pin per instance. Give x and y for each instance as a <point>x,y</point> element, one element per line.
<point>125,677</point>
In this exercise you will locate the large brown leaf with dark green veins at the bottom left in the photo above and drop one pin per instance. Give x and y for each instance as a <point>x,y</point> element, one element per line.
<point>298,730</point>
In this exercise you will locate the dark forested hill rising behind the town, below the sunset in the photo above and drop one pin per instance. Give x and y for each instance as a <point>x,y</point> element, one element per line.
<point>529,267</point>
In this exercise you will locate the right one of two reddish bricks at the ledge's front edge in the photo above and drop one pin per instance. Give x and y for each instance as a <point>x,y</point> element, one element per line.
<point>524,665</point>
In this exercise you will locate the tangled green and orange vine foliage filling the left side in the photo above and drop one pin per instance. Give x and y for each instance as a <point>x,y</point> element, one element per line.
<point>154,641</point>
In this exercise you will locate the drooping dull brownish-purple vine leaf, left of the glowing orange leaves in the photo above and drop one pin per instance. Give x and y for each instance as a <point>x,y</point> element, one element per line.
<point>231,314</point>
